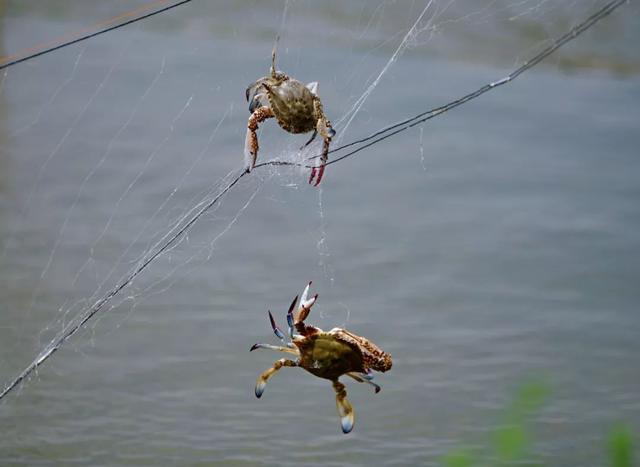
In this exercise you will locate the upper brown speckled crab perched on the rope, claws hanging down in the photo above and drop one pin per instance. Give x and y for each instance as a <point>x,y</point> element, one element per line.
<point>295,106</point>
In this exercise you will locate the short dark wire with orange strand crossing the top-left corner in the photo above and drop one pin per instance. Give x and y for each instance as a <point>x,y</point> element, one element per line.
<point>59,45</point>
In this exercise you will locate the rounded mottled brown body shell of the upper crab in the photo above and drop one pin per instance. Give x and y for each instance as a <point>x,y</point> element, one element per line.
<point>292,105</point>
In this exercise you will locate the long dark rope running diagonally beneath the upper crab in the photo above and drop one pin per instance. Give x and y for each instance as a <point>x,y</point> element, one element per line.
<point>370,140</point>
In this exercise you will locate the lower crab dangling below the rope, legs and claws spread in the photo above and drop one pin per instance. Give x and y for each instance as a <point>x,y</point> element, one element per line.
<point>328,355</point>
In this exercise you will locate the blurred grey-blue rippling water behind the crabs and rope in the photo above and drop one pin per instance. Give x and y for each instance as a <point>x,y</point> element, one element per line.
<point>494,245</point>
